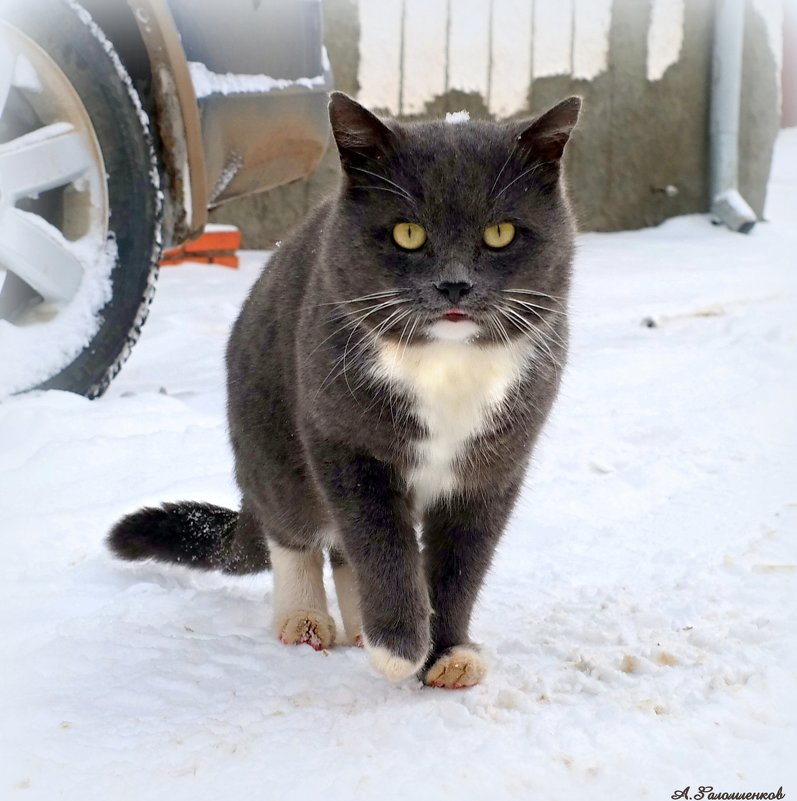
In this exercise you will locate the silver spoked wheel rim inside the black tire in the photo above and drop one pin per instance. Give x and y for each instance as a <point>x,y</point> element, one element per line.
<point>39,240</point>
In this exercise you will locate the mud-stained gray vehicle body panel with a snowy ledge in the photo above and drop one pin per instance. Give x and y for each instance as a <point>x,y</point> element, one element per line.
<point>256,140</point>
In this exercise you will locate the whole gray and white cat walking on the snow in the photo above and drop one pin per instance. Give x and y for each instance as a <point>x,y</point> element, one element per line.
<point>387,378</point>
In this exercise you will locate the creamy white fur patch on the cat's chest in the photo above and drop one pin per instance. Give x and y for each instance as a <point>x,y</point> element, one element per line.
<point>457,387</point>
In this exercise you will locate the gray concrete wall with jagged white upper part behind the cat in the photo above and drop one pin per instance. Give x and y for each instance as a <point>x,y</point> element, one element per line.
<point>642,66</point>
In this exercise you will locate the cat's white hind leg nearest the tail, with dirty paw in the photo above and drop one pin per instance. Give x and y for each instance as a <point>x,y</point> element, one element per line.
<point>300,602</point>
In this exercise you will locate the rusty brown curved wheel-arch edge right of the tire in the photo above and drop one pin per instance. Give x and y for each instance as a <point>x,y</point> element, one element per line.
<point>178,121</point>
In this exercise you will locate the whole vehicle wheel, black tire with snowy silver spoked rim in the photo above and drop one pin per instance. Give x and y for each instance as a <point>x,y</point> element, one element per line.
<point>80,202</point>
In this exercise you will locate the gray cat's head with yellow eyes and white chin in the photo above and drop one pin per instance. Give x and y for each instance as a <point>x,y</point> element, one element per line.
<point>447,230</point>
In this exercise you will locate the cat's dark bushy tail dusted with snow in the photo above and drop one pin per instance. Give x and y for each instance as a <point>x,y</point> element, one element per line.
<point>197,535</point>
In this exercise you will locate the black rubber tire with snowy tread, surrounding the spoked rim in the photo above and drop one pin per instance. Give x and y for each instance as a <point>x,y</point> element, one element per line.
<point>89,62</point>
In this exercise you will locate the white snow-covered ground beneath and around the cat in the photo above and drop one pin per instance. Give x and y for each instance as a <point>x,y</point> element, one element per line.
<point>639,616</point>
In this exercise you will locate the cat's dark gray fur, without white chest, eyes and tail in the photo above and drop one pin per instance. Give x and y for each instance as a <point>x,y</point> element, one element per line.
<point>321,443</point>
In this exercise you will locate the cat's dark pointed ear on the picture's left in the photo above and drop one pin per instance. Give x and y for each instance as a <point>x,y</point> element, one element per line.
<point>358,134</point>
